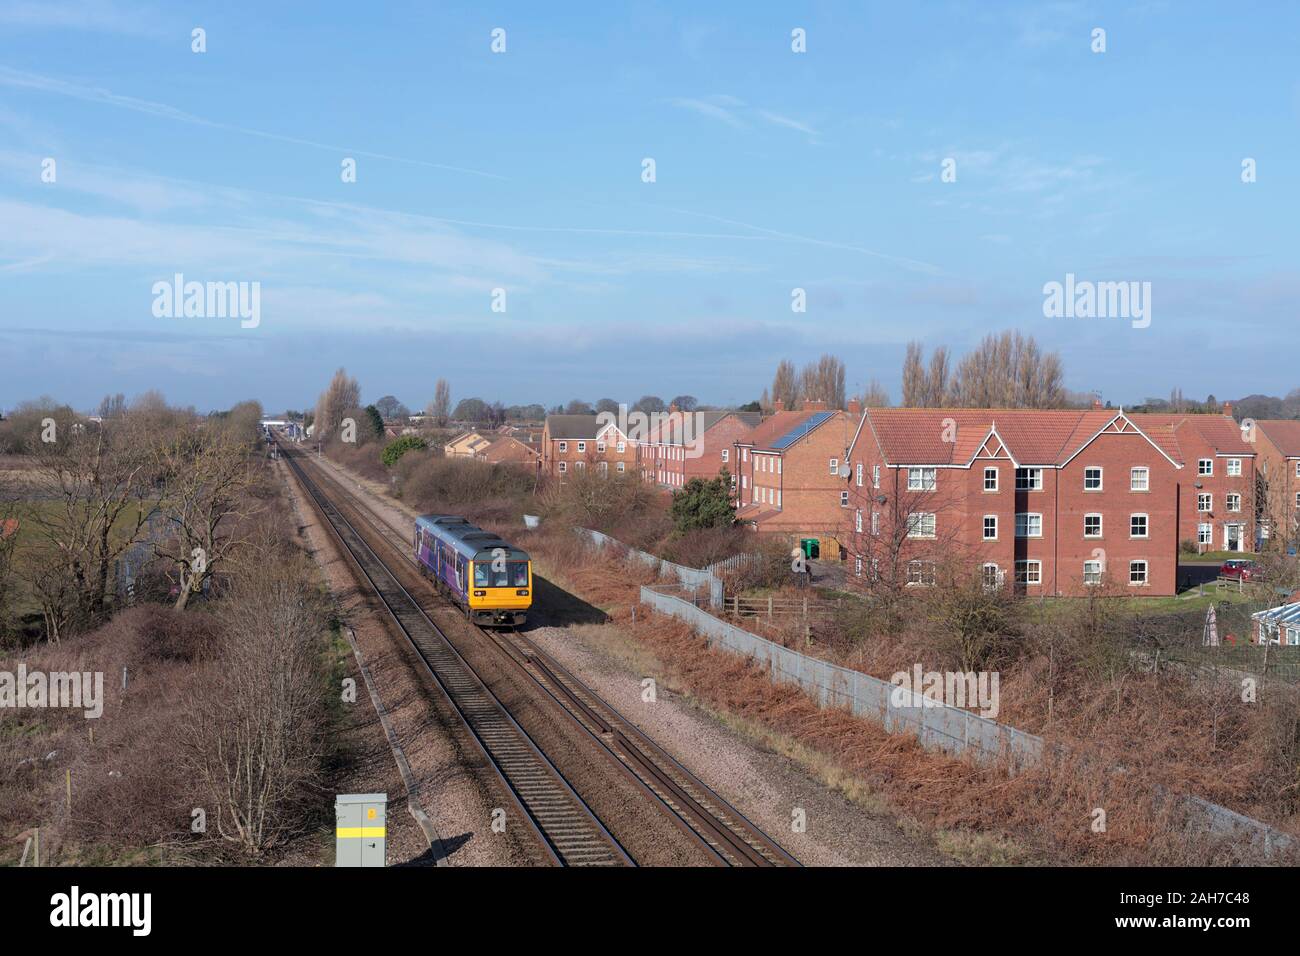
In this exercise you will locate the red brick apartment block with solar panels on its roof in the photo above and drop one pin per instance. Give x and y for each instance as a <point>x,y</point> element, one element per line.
<point>788,475</point>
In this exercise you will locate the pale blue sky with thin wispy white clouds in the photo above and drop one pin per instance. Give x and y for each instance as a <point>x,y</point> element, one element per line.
<point>920,171</point>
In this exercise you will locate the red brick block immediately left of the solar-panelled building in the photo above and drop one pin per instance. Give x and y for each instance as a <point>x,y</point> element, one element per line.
<point>687,445</point>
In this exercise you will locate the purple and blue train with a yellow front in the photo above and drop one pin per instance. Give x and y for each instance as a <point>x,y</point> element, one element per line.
<point>491,581</point>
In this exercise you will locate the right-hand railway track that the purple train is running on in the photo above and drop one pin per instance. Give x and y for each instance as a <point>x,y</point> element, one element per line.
<point>697,811</point>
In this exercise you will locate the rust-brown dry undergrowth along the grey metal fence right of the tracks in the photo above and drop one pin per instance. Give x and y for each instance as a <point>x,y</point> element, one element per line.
<point>1156,728</point>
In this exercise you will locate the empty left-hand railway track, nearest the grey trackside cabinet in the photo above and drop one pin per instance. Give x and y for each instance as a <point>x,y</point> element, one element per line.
<point>558,816</point>
